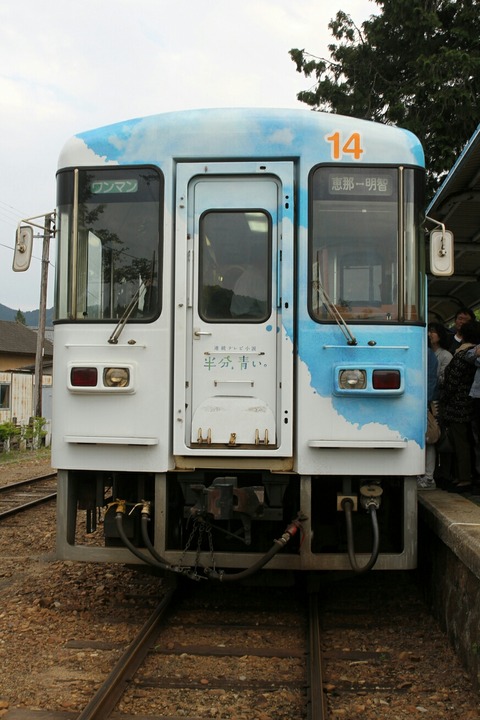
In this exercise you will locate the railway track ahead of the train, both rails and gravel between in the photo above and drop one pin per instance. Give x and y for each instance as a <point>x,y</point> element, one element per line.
<point>226,646</point>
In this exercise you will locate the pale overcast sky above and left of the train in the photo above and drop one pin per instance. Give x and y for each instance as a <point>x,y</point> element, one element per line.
<point>66,67</point>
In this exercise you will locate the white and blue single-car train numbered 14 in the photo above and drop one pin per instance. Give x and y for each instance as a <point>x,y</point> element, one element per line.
<point>240,343</point>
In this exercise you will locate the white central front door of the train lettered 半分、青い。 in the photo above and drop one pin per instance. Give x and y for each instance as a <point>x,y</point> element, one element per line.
<point>239,278</point>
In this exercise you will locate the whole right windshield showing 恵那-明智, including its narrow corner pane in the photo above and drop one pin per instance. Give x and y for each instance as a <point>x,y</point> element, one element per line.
<point>364,244</point>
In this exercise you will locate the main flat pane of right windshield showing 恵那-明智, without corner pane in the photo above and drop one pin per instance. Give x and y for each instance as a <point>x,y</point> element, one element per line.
<point>354,242</point>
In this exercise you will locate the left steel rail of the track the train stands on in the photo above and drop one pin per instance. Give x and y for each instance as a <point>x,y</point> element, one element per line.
<point>112,689</point>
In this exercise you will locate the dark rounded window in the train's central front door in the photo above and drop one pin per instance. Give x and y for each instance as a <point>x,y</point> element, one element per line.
<point>235,266</point>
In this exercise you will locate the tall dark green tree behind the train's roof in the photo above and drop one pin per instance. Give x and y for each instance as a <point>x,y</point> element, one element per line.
<point>416,64</point>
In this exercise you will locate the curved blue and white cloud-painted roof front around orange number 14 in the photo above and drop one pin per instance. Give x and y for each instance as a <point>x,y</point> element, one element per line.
<point>236,133</point>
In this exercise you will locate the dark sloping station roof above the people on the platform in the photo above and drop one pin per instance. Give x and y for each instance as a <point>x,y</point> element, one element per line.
<point>457,206</point>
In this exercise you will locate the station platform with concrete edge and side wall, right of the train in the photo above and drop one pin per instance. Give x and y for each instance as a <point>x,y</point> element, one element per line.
<point>449,569</point>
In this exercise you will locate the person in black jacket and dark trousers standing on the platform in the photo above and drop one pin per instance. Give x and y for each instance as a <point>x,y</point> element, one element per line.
<point>456,405</point>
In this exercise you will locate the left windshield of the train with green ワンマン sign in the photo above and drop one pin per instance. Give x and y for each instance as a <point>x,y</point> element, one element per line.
<point>108,244</point>
